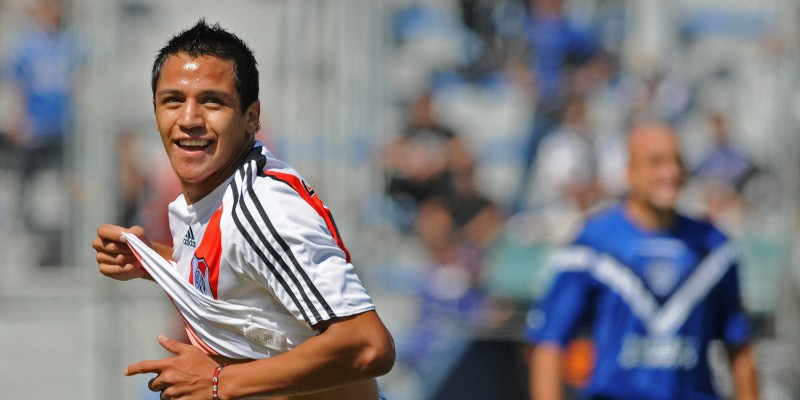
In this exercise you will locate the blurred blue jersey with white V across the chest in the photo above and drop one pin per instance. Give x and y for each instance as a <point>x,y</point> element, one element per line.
<point>653,301</point>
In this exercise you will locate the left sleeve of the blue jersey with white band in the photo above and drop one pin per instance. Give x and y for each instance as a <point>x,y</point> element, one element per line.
<point>556,316</point>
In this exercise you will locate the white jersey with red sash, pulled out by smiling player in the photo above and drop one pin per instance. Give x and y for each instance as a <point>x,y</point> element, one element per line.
<point>257,263</point>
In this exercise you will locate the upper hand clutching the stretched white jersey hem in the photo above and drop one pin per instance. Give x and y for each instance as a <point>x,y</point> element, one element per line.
<point>114,257</point>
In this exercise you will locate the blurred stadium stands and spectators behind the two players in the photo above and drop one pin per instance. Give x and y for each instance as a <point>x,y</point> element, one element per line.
<point>457,142</point>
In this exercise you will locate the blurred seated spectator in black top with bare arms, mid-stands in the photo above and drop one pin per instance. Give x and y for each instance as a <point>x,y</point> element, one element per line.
<point>430,174</point>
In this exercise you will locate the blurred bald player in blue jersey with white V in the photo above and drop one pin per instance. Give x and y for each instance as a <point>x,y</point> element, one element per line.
<point>656,286</point>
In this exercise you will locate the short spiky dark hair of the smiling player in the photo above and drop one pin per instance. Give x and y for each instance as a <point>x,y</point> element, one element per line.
<point>211,40</point>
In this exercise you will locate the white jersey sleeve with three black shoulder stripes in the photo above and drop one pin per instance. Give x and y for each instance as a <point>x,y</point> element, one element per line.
<point>294,251</point>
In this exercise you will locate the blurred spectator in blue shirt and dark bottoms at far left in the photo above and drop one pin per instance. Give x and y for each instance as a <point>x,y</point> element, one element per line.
<point>41,71</point>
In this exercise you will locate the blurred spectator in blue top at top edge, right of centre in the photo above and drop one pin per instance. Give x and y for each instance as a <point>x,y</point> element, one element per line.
<point>559,49</point>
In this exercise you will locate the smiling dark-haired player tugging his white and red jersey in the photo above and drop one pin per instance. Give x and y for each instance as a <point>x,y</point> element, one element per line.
<point>248,232</point>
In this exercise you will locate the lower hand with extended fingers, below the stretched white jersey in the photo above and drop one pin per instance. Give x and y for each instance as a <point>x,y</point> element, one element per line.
<point>187,376</point>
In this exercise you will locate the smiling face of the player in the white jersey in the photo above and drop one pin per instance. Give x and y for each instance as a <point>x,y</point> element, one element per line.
<point>203,129</point>
